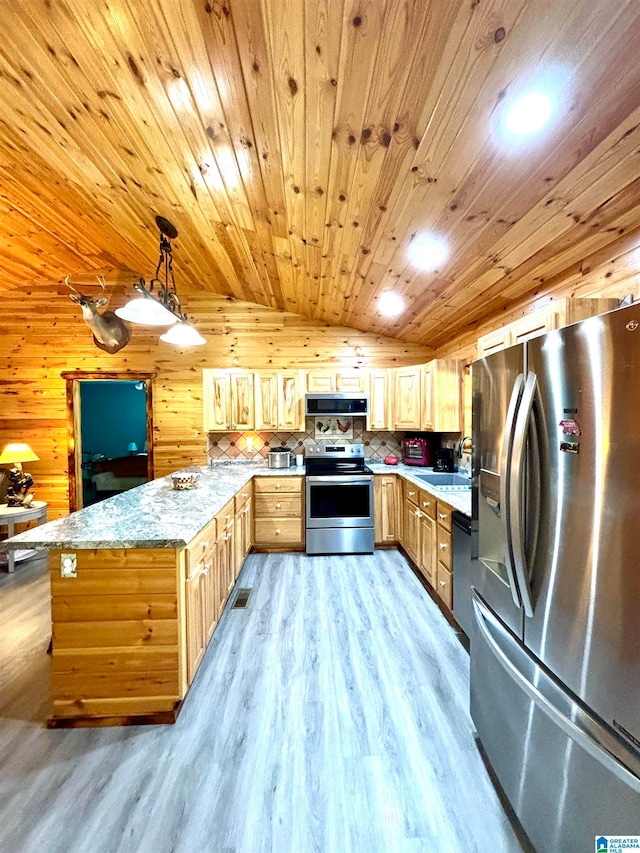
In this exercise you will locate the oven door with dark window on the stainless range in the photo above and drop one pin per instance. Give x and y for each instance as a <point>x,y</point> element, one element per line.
<point>339,501</point>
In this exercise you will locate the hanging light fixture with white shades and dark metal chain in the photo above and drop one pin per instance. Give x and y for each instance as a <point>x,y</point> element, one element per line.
<point>159,304</point>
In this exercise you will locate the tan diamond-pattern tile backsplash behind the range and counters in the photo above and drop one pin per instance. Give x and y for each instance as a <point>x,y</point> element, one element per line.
<point>252,445</point>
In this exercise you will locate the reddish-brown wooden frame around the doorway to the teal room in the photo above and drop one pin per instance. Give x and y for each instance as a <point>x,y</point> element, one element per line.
<point>74,444</point>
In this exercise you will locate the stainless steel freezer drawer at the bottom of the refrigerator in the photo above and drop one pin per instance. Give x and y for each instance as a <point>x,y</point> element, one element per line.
<point>568,777</point>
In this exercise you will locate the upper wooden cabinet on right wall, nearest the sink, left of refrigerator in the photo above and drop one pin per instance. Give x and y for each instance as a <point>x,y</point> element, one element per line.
<point>442,395</point>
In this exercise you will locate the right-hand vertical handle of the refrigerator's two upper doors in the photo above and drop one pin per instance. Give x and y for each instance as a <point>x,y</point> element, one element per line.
<point>516,474</point>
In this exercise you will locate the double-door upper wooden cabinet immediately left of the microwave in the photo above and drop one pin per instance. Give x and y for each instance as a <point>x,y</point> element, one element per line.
<point>279,400</point>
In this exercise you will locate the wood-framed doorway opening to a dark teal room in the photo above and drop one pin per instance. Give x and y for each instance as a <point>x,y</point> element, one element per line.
<point>110,424</point>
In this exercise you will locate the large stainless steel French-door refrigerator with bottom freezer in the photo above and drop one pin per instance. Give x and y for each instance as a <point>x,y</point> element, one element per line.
<point>555,646</point>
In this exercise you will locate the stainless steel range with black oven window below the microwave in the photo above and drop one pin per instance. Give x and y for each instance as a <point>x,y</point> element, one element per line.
<point>339,506</point>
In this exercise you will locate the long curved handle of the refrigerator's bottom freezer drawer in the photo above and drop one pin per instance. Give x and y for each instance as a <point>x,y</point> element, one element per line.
<point>584,729</point>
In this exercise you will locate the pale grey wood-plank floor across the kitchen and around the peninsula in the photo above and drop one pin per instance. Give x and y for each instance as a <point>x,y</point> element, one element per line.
<point>329,717</point>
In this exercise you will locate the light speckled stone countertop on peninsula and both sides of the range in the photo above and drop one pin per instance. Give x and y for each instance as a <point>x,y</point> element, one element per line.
<point>155,515</point>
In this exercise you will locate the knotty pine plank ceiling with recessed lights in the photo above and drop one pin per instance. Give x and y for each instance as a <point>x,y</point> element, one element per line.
<point>299,146</point>
